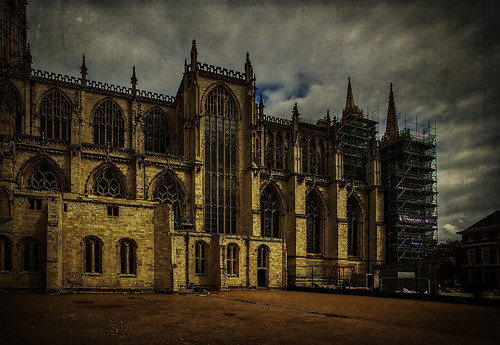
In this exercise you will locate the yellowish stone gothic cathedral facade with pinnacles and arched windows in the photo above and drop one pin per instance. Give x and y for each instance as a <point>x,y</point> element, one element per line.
<point>114,188</point>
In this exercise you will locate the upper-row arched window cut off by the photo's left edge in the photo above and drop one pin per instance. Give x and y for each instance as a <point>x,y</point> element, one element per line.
<point>10,109</point>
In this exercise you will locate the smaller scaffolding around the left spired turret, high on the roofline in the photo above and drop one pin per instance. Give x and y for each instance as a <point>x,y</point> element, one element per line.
<point>355,133</point>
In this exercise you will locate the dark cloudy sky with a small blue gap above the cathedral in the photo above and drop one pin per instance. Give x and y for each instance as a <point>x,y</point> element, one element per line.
<point>442,56</point>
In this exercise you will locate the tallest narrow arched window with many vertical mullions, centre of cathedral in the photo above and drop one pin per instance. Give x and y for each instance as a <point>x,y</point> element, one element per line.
<point>220,162</point>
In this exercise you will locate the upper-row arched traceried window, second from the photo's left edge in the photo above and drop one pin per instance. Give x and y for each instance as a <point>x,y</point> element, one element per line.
<point>55,116</point>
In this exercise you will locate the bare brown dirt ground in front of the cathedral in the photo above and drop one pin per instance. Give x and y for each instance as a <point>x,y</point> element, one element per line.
<point>240,317</point>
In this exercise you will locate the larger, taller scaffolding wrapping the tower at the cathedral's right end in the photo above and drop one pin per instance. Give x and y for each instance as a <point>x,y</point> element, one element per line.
<point>409,180</point>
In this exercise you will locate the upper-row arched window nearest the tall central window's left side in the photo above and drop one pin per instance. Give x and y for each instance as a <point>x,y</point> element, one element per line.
<point>157,136</point>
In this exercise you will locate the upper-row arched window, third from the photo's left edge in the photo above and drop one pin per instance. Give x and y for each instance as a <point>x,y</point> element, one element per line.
<point>109,125</point>
